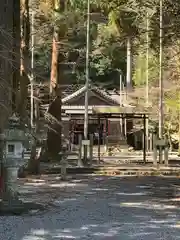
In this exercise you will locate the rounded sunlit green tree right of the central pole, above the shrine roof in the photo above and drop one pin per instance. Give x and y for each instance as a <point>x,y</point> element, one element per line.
<point>108,56</point>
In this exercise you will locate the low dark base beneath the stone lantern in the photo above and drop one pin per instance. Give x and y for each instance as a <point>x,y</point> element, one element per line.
<point>18,207</point>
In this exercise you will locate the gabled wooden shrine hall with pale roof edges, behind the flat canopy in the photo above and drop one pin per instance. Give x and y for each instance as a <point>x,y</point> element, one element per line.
<point>73,107</point>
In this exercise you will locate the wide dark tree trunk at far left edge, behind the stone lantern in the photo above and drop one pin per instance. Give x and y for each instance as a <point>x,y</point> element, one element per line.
<point>6,71</point>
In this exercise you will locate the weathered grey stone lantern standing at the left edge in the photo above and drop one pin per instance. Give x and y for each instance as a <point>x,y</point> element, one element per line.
<point>13,140</point>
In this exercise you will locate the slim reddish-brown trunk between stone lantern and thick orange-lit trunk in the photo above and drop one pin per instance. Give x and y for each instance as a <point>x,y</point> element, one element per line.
<point>33,167</point>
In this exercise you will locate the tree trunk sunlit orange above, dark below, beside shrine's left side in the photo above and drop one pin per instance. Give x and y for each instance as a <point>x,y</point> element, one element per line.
<point>55,129</point>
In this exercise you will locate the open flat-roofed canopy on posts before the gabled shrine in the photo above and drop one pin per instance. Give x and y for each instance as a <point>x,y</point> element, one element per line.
<point>103,126</point>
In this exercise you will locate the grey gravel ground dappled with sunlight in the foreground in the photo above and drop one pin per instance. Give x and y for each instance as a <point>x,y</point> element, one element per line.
<point>98,207</point>
